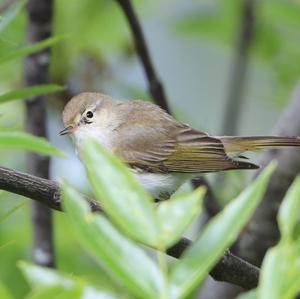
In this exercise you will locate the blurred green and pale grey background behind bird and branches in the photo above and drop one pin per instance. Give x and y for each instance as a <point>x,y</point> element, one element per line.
<point>193,45</point>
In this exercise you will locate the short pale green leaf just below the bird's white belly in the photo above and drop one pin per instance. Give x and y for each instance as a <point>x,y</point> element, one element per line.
<point>176,214</point>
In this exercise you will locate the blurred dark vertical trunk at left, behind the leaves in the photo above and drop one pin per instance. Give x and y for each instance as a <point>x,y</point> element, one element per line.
<point>36,72</point>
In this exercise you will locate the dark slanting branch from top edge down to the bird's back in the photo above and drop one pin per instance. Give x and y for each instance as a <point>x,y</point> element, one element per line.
<point>155,86</point>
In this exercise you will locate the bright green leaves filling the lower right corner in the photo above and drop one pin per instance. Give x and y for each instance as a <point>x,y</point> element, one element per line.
<point>280,274</point>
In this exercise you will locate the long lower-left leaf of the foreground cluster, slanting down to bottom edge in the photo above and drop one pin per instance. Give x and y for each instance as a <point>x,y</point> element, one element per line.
<point>127,263</point>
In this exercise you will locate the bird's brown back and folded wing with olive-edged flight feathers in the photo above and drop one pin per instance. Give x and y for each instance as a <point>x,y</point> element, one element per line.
<point>164,145</point>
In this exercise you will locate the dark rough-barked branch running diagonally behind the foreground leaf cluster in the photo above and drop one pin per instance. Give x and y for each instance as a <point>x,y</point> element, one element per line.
<point>230,268</point>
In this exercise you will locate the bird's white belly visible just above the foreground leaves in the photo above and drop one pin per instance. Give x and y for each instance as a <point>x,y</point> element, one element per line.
<point>161,186</point>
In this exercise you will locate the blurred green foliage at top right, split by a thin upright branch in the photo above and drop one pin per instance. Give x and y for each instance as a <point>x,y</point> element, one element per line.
<point>277,28</point>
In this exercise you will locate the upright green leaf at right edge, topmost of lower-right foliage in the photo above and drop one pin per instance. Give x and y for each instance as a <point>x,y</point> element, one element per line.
<point>289,211</point>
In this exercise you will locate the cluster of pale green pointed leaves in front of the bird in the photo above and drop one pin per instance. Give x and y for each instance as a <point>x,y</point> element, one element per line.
<point>115,244</point>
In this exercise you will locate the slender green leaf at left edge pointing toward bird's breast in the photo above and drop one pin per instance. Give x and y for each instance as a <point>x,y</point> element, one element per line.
<point>24,141</point>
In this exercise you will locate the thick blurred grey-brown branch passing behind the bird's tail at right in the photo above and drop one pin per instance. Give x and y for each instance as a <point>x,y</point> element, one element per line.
<point>262,231</point>
